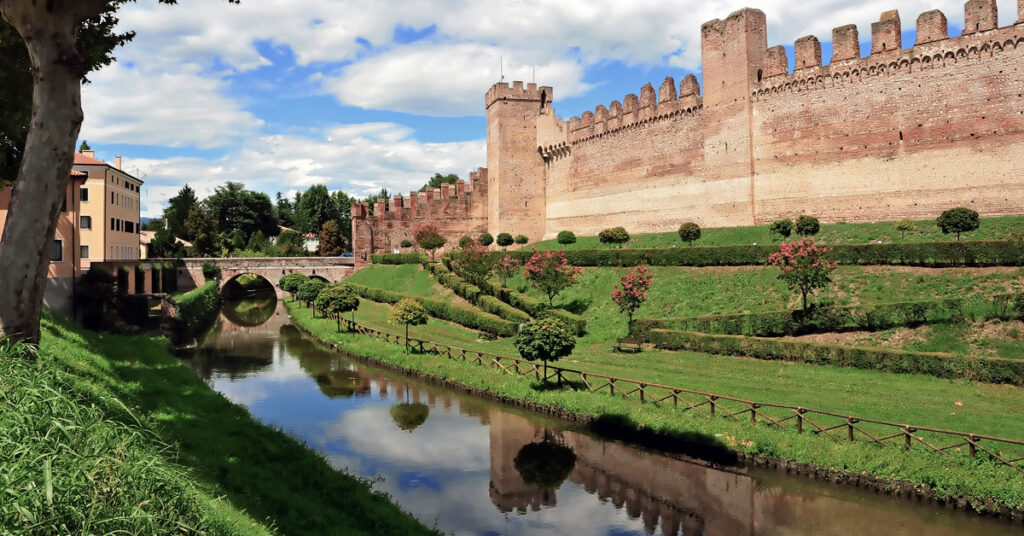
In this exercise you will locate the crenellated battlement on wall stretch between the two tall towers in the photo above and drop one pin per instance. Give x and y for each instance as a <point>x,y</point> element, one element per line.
<point>651,106</point>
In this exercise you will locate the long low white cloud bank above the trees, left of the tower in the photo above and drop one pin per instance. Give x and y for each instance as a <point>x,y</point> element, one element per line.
<point>359,159</point>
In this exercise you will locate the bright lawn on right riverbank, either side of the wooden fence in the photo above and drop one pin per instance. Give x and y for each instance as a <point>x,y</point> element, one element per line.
<point>956,476</point>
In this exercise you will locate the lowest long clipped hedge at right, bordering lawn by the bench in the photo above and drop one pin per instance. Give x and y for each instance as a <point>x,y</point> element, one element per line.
<point>994,370</point>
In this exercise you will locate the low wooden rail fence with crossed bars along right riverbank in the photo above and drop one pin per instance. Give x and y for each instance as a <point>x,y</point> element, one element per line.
<point>837,427</point>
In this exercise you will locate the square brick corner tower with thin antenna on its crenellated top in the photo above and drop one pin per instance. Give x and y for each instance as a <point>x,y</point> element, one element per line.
<point>517,185</point>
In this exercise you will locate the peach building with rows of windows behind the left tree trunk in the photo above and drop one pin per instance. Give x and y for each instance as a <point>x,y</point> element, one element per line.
<point>100,221</point>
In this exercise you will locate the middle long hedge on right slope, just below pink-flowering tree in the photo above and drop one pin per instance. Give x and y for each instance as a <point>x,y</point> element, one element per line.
<point>832,319</point>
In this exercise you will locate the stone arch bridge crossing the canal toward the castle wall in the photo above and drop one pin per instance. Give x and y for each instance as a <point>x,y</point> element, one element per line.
<point>190,271</point>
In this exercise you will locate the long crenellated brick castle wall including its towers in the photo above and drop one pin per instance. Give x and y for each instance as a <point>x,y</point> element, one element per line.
<point>904,133</point>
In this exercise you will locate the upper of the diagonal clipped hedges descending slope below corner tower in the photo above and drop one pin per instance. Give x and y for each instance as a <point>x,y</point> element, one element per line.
<point>517,302</point>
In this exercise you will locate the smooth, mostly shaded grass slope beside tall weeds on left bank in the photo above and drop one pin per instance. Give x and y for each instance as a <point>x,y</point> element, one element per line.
<point>255,468</point>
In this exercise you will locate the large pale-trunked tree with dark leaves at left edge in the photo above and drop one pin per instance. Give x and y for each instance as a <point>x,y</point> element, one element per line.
<point>63,40</point>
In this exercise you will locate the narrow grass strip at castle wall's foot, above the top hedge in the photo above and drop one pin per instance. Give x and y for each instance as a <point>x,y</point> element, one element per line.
<point>924,231</point>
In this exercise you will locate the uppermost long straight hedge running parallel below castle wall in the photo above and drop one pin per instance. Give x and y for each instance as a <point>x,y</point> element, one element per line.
<point>936,255</point>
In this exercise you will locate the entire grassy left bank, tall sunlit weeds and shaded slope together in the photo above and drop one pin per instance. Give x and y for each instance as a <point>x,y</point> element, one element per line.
<point>104,410</point>
